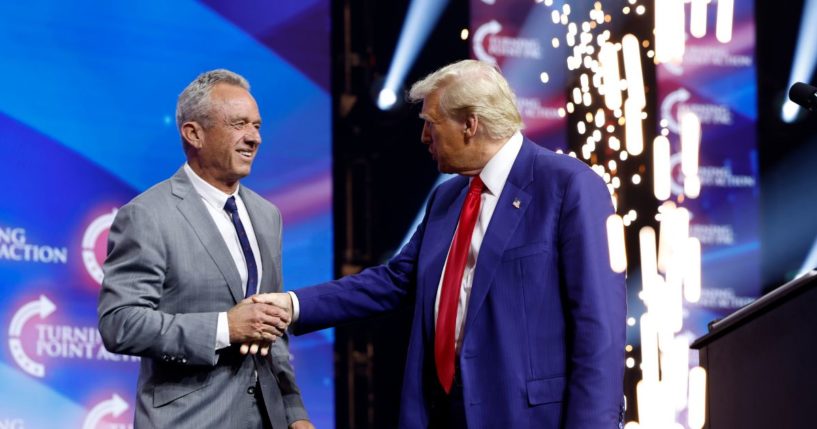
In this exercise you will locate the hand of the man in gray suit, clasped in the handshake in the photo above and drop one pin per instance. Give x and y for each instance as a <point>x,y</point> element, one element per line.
<point>251,321</point>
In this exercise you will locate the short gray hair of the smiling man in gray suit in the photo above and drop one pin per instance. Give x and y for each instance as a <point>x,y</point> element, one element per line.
<point>194,101</point>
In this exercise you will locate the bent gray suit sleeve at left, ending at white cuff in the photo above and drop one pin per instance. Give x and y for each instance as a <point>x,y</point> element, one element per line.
<point>129,319</point>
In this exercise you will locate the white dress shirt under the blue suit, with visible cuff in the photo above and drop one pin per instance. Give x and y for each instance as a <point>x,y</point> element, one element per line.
<point>493,175</point>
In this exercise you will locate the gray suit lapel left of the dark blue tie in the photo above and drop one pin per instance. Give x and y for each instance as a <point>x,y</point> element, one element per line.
<point>194,211</point>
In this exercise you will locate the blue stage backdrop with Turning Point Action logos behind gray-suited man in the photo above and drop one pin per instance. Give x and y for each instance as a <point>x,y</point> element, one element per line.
<point>86,123</point>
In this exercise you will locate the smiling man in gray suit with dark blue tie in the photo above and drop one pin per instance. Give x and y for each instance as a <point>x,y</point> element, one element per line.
<point>183,259</point>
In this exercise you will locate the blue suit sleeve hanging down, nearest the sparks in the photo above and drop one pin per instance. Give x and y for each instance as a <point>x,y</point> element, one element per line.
<point>596,306</point>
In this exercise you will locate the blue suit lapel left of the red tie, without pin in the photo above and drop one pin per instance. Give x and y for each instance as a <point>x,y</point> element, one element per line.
<point>440,228</point>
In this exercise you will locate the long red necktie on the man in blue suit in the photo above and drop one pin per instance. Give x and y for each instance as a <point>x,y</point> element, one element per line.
<point>452,280</point>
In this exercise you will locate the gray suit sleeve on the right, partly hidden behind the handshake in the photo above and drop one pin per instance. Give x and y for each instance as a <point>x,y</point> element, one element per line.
<point>279,351</point>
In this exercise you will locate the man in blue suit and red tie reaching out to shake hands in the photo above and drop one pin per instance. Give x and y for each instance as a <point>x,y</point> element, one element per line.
<point>519,321</point>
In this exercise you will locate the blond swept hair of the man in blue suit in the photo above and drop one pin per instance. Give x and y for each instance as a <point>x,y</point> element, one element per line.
<point>473,87</point>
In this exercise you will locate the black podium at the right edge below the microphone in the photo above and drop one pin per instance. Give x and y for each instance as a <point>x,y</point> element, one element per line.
<point>761,361</point>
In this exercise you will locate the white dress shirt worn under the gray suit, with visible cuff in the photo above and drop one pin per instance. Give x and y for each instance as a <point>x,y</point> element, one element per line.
<point>214,199</point>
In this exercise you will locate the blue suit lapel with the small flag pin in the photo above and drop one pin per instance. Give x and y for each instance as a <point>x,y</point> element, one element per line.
<point>509,212</point>
